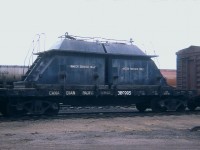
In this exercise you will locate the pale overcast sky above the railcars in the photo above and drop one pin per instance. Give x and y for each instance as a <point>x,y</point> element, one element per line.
<point>160,27</point>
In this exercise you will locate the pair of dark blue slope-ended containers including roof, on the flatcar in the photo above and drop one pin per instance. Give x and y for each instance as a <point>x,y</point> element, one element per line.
<point>77,62</point>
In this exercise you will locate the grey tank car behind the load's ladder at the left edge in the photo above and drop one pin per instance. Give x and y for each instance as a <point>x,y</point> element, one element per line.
<point>10,74</point>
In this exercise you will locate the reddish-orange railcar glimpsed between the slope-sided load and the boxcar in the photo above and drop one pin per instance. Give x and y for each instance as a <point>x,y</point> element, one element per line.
<point>170,76</point>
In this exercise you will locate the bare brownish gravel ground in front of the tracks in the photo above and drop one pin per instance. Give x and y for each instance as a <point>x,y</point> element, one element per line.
<point>103,133</point>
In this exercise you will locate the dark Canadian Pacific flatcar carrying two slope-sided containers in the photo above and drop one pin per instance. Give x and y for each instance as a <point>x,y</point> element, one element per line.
<point>81,72</point>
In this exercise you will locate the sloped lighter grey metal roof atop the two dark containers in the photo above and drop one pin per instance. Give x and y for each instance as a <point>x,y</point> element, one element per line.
<point>98,47</point>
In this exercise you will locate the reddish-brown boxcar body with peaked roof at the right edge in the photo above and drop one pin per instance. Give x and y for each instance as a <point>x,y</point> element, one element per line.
<point>188,68</point>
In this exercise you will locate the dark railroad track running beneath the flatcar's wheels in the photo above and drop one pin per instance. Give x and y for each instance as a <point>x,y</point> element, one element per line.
<point>69,112</point>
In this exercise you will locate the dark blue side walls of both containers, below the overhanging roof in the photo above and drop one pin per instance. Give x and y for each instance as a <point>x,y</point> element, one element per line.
<point>86,69</point>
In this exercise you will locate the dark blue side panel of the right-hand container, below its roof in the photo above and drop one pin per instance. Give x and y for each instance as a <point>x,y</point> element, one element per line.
<point>134,72</point>
